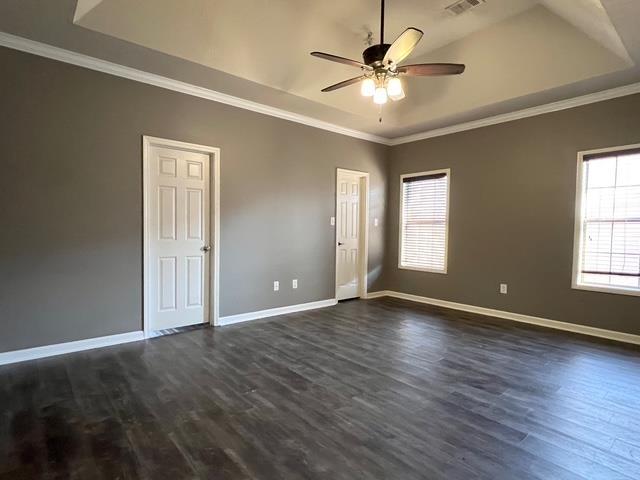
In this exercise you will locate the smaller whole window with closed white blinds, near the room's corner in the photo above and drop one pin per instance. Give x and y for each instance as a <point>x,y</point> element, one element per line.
<point>424,221</point>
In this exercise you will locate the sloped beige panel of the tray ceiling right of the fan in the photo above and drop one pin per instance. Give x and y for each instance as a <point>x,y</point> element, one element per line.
<point>502,70</point>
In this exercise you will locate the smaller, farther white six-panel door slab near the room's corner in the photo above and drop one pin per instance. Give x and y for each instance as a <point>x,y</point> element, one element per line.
<point>348,224</point>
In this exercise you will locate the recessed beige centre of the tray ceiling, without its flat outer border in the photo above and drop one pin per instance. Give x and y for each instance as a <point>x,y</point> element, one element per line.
<point>512,48</point>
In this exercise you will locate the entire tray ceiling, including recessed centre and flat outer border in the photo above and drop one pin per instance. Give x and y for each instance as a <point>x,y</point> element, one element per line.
<point>519,53</point>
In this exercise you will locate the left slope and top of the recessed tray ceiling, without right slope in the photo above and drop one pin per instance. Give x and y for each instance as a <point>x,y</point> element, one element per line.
<point>268,41</point>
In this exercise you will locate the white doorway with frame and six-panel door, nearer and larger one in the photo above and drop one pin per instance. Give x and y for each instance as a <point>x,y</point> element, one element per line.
<point>181,231</point>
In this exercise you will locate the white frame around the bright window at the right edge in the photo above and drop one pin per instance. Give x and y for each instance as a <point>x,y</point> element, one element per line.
<point>579,231</point>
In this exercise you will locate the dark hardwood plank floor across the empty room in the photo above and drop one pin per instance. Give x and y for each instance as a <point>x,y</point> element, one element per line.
<point>378,389</point>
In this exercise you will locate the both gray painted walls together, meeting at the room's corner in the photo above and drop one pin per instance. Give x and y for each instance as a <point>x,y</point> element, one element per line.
<point>71,189</point>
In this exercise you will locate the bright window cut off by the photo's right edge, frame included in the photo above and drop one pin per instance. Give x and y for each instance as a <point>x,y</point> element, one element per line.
<point>607,249</point>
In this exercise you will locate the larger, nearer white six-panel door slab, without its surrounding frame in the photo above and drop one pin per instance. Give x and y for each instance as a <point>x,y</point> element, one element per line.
<point>179,232</point>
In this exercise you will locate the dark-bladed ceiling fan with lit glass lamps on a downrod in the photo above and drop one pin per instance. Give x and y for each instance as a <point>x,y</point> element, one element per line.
<point>381,69</point>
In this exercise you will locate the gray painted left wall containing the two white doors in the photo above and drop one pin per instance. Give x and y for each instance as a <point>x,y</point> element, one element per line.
<point>71,200</point>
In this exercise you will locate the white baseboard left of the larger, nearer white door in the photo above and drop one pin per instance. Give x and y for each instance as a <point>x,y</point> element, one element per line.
<point>69,347</point>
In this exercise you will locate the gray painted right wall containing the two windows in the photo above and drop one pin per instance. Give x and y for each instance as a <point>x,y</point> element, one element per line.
<point>512,214</point>
